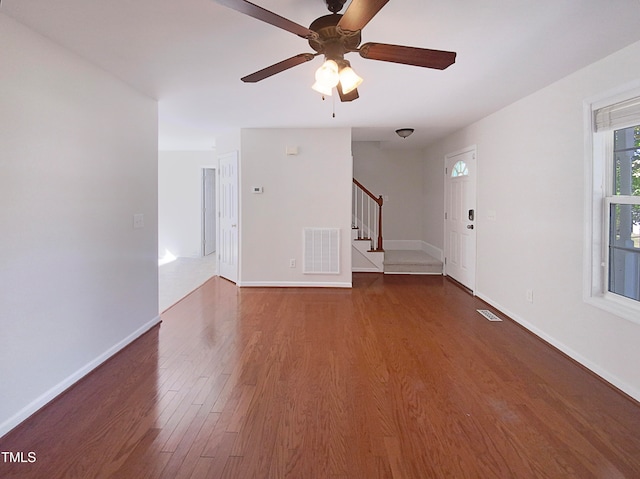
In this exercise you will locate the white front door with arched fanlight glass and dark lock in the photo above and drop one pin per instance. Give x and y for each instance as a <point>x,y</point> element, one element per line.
<point>460,217</point>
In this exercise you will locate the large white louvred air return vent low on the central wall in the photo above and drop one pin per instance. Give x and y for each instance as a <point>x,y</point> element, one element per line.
<point>321,251</point>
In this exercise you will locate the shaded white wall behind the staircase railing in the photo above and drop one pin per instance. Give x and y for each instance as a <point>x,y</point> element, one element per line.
<point>398,176</point>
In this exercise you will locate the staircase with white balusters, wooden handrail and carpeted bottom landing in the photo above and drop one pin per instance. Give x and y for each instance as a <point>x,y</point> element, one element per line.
<point>368,254</point>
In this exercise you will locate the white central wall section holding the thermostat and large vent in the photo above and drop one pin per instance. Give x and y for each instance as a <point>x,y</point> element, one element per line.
<point>311,189</point>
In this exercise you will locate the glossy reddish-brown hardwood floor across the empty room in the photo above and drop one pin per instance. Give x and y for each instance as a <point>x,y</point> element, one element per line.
<point>399,377</point>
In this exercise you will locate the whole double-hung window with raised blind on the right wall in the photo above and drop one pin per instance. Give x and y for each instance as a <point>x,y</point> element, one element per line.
<point>615,206</point>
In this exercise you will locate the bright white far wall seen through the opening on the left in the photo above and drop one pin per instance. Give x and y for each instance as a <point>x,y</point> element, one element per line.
<point>180,201</point>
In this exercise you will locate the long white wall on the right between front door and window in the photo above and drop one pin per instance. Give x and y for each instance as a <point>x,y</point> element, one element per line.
<point>531,164</point>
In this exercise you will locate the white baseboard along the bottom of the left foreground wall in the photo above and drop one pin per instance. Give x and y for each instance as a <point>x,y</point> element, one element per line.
<point>62,386</point>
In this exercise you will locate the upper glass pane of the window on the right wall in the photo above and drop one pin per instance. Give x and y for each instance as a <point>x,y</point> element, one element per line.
<point>627,161</point>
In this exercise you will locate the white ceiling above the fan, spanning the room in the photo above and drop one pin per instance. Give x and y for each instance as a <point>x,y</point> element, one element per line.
<point>191,54</point>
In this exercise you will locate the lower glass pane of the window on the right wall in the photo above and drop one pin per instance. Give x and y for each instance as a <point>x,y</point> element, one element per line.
<point>624,250</point>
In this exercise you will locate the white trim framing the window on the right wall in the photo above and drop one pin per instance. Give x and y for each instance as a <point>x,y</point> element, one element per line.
<point>596,227</point>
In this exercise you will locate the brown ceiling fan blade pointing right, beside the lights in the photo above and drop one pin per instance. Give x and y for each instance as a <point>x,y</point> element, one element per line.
<point>420,57</point>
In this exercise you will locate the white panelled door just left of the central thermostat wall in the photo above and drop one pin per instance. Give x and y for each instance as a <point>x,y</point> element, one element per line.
<point>228,214</point>
